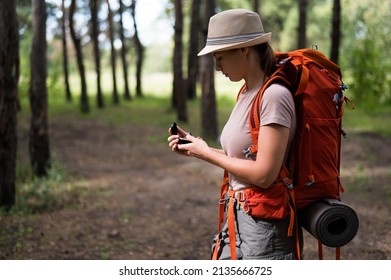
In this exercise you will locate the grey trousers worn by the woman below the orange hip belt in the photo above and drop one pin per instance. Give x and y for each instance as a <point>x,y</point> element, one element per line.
<point>258,239</point>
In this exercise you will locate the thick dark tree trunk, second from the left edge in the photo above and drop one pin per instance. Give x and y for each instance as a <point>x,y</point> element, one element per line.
<point>39,135</point>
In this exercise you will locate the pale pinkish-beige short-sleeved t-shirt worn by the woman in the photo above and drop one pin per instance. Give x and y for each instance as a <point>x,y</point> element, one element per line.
<point>277,107</point>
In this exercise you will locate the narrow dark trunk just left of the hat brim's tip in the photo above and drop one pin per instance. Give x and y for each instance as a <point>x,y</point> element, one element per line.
<point>192,67</point>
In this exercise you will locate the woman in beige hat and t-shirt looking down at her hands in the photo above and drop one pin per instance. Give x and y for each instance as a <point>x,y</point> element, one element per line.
<point>241,49</point>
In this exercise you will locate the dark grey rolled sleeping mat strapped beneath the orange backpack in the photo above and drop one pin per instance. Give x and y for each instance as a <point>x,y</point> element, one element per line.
<point>330,221</point>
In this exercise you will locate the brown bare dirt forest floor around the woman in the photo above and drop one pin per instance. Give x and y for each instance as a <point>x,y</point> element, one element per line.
<point>138,200</point>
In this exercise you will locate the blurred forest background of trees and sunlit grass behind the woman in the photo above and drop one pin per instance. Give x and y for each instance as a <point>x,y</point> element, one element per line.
<point>134,62</point>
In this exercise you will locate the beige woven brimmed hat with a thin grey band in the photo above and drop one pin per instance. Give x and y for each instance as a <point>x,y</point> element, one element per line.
<point>232,29</point>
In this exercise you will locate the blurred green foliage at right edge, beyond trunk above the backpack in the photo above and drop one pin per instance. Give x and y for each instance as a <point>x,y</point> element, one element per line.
<point>368,51</point>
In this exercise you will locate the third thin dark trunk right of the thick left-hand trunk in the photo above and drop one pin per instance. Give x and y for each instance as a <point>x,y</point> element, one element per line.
<point>94,7</point>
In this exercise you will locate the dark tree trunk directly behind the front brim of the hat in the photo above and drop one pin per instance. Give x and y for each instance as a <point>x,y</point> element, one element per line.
<point>208,102</point>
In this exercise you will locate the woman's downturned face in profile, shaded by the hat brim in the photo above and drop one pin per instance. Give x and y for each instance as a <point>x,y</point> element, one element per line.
<point>231,63</point>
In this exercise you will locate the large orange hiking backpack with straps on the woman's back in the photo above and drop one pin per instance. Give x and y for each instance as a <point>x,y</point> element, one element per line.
<point>313,172</point>
